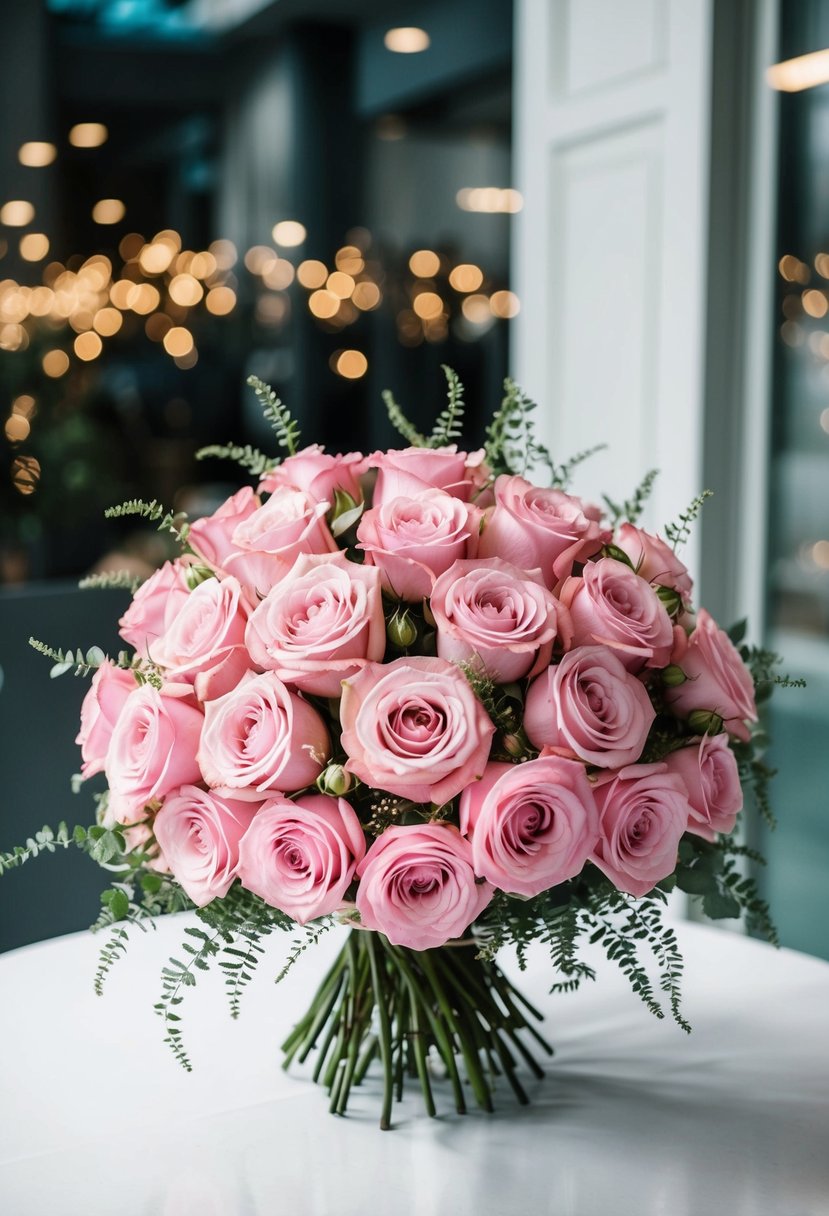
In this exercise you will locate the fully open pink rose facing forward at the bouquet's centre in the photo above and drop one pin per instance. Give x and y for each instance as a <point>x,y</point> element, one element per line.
<point>415,728</point>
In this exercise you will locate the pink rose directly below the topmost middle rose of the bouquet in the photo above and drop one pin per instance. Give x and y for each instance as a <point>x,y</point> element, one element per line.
<point>415,541</point>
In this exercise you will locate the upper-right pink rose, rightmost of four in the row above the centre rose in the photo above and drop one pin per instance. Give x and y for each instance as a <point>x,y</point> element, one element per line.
<point>613,606</point>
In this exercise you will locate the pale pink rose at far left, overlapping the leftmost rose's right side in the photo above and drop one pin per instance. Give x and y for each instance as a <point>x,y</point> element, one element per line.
<point>153,750</point>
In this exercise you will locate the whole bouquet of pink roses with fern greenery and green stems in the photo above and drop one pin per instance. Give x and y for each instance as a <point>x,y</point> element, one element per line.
<point>424,696</point>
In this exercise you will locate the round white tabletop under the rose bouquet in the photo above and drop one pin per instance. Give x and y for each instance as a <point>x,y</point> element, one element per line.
<point>634,1119</point>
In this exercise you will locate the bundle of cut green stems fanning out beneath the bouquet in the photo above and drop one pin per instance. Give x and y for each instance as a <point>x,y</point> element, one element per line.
<point>421,1014</point>
